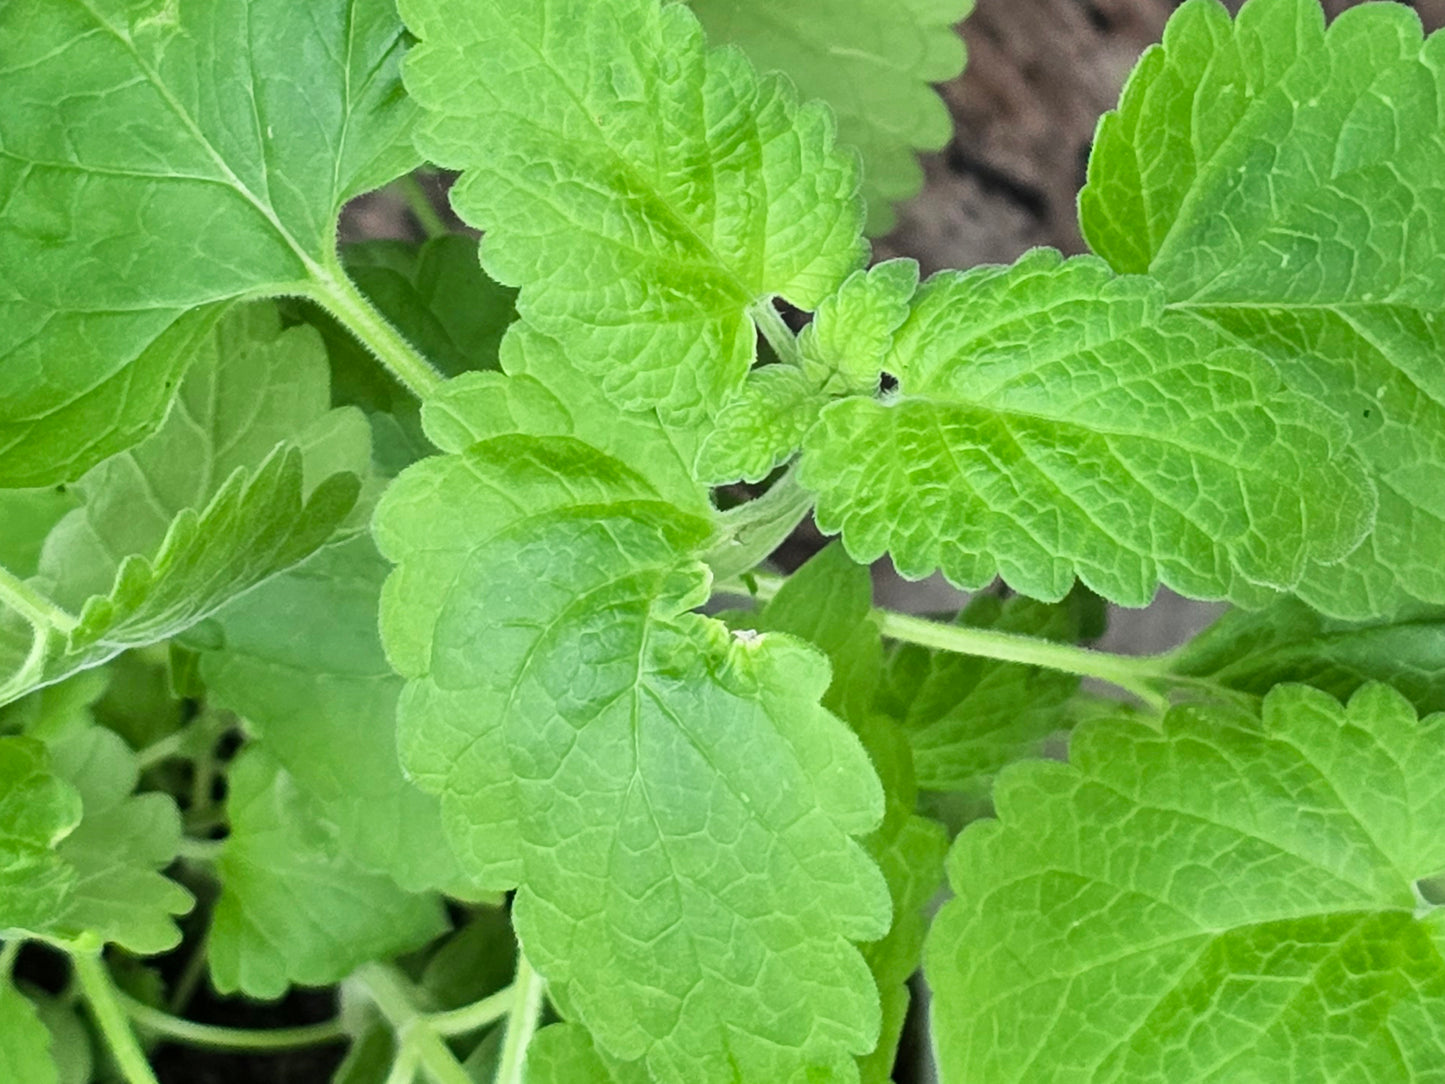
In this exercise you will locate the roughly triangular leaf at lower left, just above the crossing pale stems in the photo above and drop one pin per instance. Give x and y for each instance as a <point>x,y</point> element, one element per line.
<point>293,910</point>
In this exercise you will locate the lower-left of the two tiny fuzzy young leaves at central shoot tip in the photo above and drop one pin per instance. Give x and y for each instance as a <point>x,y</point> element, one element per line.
<point>761,427</point>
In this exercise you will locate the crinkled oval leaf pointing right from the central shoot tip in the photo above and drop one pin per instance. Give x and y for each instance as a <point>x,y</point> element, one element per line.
<point>1054,423</point>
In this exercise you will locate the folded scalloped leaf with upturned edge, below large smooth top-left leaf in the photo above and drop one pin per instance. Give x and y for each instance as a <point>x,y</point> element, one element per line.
<point>249,475</point>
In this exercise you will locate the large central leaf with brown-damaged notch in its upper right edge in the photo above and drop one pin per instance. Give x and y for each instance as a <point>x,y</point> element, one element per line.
<point>670,800</point>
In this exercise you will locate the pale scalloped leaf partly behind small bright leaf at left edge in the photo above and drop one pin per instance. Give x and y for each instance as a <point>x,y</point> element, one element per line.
<point>118,851</point>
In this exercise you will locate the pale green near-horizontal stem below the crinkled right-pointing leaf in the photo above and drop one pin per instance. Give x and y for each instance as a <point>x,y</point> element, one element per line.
<point>1132,674</point>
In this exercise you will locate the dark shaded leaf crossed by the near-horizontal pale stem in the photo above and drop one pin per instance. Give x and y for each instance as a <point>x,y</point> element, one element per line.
<point>969,718</point>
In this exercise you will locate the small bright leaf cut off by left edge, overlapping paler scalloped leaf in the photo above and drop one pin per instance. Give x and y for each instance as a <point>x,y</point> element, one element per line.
<point>37,812</point>
